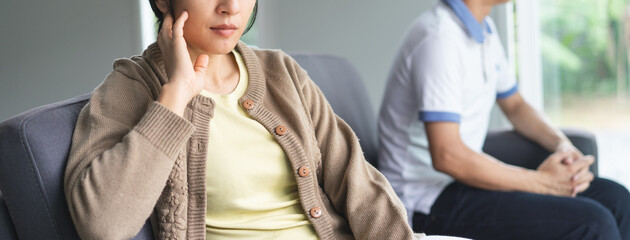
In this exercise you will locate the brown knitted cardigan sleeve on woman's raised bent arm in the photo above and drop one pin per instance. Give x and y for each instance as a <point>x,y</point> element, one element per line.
<point>123,149</point>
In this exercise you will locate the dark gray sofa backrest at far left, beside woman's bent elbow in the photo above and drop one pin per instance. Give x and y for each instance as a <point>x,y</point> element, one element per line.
<point>33,155</point>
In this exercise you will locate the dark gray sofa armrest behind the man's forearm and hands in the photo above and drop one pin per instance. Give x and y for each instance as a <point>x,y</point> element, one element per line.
<point>512,148</point>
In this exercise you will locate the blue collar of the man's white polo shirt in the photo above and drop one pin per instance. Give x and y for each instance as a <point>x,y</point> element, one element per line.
<point>474,28</point>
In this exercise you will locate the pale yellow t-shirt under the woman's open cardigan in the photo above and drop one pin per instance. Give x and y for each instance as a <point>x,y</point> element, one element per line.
<point>250,186</point>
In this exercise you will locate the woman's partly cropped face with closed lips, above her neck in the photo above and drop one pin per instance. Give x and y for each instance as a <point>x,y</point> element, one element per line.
<point>214,26</point>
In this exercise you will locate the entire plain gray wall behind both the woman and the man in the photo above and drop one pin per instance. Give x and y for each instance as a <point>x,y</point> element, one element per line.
<point>53,50</point>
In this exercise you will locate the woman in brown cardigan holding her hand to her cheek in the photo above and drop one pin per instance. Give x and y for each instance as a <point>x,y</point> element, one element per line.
<point>214,139</point>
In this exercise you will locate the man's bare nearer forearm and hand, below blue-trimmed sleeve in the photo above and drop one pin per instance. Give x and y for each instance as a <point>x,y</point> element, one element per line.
<point>451,156</point>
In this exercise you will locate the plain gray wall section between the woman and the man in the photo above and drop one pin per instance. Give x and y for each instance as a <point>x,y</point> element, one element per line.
<point>367,33</point>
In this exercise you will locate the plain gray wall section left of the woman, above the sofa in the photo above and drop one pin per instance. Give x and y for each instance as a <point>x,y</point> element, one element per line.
<point>53,50</point>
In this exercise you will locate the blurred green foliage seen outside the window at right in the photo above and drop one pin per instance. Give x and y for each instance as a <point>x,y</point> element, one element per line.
<point>585,47</point>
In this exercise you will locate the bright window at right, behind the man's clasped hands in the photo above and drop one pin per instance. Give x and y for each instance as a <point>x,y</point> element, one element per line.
<point>579,53</point>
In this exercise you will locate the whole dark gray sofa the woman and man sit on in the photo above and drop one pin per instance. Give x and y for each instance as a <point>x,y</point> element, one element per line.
<point>34,146</point>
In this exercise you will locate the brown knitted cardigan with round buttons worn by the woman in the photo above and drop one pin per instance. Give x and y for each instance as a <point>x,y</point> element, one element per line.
<point>131,158</point>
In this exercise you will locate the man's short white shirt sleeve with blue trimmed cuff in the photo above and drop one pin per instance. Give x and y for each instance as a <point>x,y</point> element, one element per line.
<point>436,78</point>
